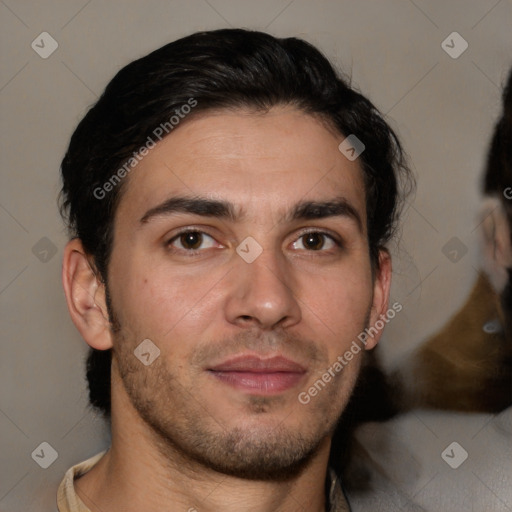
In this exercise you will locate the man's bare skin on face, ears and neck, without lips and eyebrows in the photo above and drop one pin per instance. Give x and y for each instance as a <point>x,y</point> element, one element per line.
<point>180,436</point>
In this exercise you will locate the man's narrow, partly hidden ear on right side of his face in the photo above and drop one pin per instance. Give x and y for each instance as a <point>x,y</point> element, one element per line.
<point>381,289</point>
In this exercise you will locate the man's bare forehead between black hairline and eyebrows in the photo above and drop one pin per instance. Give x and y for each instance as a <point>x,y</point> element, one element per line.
<point>259,161</point>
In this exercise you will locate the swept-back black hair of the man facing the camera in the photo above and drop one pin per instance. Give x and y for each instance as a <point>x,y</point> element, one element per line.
<point>229,68</point>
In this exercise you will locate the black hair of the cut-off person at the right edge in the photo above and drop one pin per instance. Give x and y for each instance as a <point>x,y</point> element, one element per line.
<point>498,171</point>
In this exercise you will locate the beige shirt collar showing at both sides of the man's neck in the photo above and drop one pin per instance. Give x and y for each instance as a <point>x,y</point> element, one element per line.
<point>68,500</point>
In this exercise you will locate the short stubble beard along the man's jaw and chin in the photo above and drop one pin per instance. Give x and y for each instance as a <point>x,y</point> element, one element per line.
<point>188,435</point>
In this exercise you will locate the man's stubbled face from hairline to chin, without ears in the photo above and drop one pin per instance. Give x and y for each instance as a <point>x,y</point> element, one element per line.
<point>241,334</point>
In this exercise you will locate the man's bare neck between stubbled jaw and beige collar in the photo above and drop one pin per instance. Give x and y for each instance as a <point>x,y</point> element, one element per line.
<point>142,472</point>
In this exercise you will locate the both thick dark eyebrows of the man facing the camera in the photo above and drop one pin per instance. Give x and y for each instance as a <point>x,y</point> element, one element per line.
<point>304,210</point>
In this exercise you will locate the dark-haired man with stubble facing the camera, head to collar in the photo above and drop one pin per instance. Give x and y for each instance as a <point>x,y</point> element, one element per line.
<point>229,199</point>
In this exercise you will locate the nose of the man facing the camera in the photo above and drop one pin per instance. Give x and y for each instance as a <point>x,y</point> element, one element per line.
<point>261,293</point>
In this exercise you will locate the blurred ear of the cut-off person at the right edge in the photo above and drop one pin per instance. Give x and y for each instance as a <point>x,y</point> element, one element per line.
<point>497,248</point>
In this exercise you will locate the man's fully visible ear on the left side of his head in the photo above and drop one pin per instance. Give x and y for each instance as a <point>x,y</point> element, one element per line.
<point>85,297</point>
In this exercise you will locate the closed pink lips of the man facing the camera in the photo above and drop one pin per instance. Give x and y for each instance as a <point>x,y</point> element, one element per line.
<point>258,375</point>
